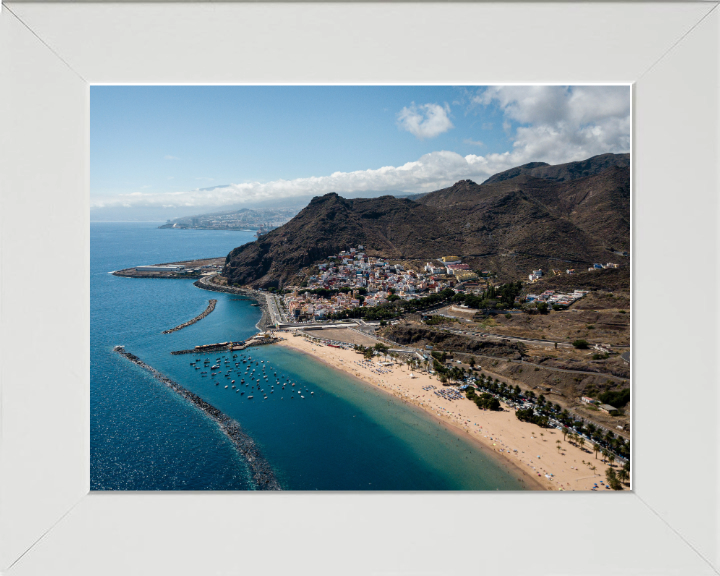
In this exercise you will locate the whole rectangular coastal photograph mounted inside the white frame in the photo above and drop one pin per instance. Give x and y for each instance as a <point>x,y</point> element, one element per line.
<point>360,287</point>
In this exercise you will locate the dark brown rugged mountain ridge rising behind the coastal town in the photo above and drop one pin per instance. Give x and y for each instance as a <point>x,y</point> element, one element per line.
<point>511,226</point>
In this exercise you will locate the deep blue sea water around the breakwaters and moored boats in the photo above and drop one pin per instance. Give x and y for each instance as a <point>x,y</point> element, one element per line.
<point>345,436</point>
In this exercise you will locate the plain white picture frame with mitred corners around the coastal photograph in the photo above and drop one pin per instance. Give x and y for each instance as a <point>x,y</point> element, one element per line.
<point>50,53</point>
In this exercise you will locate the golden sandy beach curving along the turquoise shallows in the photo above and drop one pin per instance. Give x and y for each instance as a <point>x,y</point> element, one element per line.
<point>533,452</point>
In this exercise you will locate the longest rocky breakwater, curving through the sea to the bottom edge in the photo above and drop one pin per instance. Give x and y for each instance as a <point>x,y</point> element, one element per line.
<point>262,474</point>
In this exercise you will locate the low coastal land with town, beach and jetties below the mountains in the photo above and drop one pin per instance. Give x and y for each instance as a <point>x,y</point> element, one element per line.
<point>447,308</point>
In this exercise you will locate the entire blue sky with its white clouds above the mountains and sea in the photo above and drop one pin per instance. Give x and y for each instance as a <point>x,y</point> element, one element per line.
<point>158,147</point>
